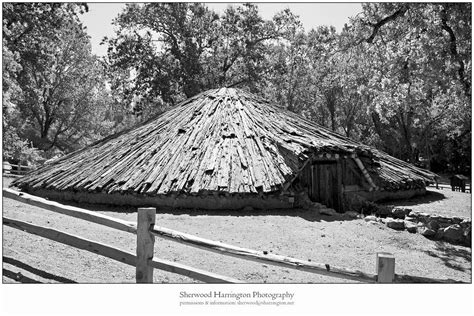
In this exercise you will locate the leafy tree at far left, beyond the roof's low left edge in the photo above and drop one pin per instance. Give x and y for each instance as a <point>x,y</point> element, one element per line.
<point>56,78</point>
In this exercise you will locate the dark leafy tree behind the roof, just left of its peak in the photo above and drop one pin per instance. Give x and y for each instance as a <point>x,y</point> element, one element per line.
<point>155,57</point>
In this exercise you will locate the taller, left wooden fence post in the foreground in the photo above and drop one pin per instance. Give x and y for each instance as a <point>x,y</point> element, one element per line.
<point>145,243</point>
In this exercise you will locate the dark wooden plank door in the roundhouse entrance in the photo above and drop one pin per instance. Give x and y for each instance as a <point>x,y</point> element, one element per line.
<point>325,184</point>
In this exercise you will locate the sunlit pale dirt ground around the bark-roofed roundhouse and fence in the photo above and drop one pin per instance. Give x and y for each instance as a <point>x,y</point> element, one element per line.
<point>346,243</point>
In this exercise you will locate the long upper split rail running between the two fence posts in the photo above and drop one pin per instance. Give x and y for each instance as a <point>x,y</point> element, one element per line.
<point>262,256</point>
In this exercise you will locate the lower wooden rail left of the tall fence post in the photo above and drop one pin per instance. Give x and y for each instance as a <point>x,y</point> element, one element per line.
<point>72,240</point>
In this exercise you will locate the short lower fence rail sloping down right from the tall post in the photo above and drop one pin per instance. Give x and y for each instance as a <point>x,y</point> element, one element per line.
<point>194,273</point>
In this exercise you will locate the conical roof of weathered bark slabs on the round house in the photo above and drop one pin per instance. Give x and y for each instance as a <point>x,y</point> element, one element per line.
<point>222,140</point>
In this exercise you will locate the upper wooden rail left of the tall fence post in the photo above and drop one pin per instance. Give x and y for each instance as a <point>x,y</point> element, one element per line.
<point>72,211</point>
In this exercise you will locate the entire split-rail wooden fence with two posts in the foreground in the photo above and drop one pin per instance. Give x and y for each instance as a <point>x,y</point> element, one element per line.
<point>146,231</point>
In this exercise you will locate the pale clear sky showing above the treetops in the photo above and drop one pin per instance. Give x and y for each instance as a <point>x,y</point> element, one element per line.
<point>99,18</point>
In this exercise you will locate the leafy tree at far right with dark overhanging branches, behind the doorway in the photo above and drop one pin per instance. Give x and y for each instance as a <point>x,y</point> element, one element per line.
<point>420,75</point>
